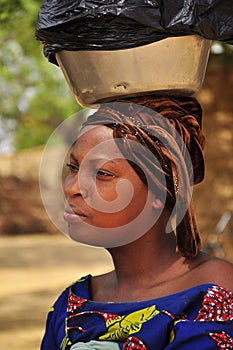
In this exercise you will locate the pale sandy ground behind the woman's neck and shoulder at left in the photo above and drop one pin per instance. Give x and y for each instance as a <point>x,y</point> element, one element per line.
<point>34,269</point>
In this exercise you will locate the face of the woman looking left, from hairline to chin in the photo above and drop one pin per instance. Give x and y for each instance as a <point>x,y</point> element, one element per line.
<point>102,190</point>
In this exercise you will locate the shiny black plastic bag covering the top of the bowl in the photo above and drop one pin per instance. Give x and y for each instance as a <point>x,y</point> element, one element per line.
<point>114,25</point>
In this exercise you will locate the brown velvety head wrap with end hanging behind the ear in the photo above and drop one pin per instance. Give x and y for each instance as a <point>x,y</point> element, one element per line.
<point>171,129</point>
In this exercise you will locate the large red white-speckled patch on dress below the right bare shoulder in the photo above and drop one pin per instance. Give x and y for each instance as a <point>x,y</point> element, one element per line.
<point>217,305</point>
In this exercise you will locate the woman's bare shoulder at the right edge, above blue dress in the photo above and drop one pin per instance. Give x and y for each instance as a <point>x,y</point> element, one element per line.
<point>216,271</point>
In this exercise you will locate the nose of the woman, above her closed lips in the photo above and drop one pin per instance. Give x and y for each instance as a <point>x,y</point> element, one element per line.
<point>74,186</point>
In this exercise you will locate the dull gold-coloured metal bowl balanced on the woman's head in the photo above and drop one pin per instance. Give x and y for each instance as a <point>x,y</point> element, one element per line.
<point>173,66</point>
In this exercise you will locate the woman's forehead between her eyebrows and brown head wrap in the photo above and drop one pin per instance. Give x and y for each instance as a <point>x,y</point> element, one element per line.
<point>95,142</point>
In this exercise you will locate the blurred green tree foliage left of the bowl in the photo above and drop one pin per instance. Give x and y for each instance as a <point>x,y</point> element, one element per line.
<point>34,98</point>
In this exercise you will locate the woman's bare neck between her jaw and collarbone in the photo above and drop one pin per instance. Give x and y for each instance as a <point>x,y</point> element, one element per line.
<point>141,260</point>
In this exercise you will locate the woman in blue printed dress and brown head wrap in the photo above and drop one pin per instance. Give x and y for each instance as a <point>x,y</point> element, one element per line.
<point>128,189</point>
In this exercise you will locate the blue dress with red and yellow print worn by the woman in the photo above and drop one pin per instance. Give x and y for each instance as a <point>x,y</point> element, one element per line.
<point>198,318</point>
